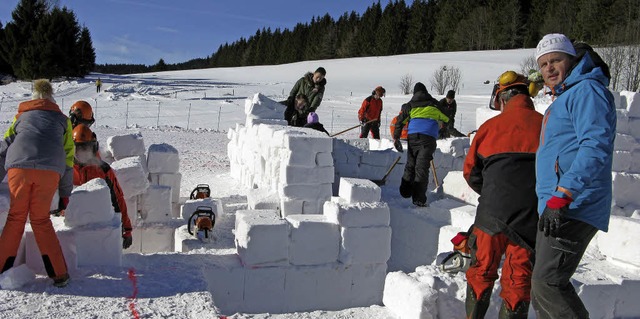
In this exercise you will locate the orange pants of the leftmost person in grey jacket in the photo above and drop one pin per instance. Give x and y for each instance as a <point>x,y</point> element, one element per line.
<point>31,192</point>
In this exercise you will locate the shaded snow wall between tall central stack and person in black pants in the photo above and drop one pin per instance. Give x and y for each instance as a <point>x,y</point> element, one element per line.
<point>367,159</point>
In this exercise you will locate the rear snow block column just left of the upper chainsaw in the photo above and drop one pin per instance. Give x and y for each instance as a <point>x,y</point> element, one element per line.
<point>163,162</point>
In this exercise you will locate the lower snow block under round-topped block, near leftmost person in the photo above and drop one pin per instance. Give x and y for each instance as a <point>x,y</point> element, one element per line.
<point>99,245</point>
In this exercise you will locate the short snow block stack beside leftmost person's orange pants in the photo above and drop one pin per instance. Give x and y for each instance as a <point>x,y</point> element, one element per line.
<point>90,233</point>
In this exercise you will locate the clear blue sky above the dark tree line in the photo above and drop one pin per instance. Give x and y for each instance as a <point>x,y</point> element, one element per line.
<point>132,31</point>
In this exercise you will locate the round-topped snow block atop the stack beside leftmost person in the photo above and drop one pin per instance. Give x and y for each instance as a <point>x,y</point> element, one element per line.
<point>89,204</point>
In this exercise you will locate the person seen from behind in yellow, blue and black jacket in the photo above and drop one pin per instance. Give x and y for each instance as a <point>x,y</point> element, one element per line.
<point>423,116</point>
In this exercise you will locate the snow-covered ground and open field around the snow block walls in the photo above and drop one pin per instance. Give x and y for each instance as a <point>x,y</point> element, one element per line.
<point>192,110</point>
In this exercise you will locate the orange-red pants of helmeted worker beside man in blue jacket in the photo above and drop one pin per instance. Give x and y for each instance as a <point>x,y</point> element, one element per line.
<point>486,254</point>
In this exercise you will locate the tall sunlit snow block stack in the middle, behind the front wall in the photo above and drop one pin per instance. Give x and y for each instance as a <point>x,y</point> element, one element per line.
<point>289,168</point>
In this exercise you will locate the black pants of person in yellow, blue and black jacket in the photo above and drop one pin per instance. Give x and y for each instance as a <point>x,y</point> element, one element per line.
<point>416,172</point>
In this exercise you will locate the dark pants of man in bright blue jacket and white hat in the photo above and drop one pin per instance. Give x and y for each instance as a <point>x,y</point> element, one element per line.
<point>552,294</point>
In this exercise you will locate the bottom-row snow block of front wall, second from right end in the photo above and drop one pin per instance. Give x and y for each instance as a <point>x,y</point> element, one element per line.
<point>325,287</point>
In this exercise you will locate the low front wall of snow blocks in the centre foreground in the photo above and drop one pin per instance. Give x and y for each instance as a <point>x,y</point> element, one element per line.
<point>328,261</point>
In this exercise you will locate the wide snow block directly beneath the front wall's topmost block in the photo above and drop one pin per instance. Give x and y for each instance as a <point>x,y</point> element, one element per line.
<point>361,214</point>
